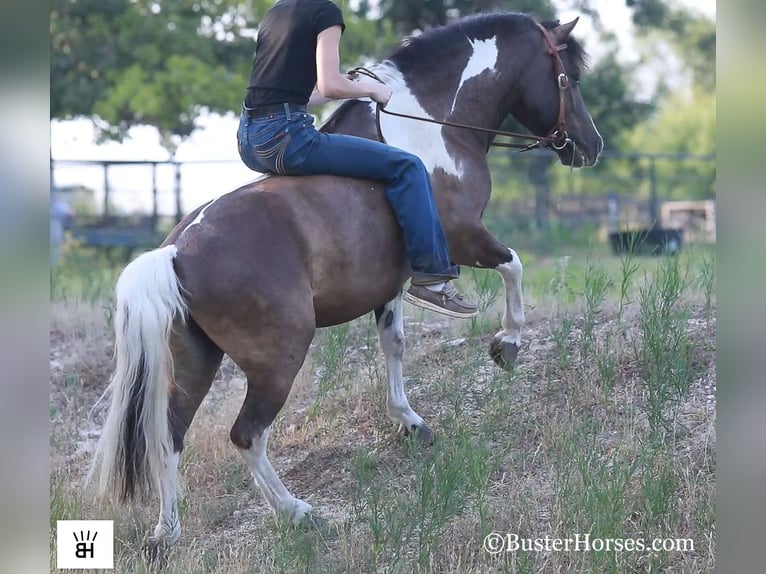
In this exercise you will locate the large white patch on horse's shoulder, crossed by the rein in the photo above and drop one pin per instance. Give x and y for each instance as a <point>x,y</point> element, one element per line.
<point>423,139</point>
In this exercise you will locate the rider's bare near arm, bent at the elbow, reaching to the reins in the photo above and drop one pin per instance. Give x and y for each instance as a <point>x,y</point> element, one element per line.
<point>334,85</point>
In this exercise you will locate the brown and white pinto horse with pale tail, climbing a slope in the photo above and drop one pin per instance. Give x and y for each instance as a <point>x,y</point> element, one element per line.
<point>254,272</point>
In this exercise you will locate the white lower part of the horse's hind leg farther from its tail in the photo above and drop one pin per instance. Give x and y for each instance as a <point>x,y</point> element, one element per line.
<point>279,498</point>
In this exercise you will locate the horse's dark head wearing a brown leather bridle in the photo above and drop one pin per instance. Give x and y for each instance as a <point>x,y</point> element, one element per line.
<point>549,102</point>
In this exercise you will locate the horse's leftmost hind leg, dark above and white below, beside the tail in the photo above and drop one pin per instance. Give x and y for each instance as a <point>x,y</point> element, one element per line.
<point>196,359</point>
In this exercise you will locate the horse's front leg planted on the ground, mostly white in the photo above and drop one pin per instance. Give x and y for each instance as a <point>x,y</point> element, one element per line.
<point>390,322</point>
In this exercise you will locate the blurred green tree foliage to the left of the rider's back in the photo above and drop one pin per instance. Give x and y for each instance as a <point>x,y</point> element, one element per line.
<point>160,63</point>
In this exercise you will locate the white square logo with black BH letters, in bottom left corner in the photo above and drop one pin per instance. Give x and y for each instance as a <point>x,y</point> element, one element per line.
<point>84,544</point>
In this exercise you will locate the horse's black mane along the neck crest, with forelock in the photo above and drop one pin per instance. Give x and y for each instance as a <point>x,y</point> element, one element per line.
<point>423,50</point>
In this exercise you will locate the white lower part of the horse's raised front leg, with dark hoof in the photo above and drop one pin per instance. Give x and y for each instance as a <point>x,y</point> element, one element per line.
<point>505,346</point>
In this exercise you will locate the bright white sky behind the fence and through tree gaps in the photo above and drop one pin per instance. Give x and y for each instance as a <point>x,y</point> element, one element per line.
<point>215,140</point>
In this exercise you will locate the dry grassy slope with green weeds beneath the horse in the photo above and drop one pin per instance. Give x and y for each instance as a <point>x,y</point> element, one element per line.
<point>603,429</point>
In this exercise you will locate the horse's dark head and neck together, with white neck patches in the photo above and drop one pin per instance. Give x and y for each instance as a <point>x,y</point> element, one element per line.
<point>471,74</point>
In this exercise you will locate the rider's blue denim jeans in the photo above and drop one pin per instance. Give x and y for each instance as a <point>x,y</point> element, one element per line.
<point>289,144</point>
